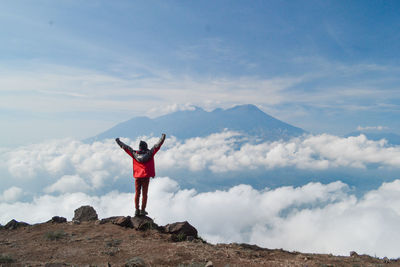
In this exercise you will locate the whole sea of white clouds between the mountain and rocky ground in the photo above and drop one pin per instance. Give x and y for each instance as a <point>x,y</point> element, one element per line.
<point>58,176</point>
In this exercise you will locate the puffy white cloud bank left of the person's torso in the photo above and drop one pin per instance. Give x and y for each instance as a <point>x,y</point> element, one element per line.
<point>94,163</point>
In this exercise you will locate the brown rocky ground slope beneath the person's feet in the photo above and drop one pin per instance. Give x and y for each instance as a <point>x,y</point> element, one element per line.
<point>126,241</point>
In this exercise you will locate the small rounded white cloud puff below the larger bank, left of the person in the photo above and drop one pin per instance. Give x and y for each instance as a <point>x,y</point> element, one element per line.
<point>68,184</point>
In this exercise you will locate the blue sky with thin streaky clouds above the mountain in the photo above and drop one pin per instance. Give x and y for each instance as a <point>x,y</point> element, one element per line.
<point>73,68</point>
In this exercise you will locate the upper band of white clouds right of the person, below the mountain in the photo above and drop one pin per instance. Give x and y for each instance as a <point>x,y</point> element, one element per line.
<point>218,154</point>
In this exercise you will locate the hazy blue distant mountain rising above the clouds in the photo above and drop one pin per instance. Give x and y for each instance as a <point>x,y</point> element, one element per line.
<point>246,119</point>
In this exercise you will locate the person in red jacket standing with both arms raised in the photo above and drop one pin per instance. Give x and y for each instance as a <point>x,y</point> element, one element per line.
<point>143,169</point>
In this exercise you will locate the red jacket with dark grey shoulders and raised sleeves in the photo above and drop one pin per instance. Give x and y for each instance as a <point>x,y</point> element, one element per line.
<point>143,160</point>
